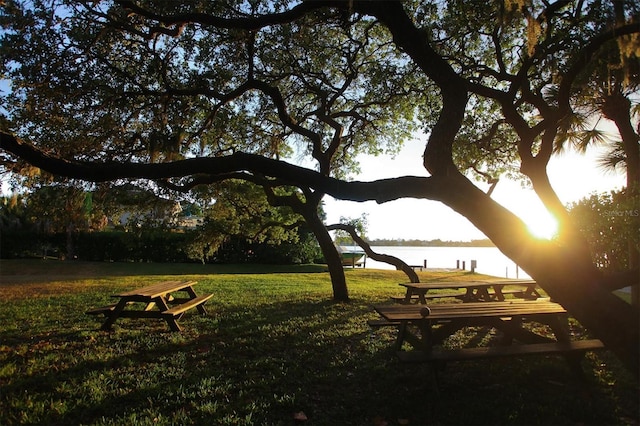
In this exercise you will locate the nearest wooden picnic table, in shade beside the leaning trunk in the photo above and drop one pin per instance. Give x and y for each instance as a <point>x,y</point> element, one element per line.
<point>435,323</point>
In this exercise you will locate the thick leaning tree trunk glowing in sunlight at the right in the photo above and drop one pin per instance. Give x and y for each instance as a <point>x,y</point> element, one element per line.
<point>561,269</point>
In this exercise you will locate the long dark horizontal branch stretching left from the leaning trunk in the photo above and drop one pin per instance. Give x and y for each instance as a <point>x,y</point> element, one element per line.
<point>380,191</point>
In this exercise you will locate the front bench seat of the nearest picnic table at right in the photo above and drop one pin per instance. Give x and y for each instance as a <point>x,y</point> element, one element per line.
<point>501,351</point>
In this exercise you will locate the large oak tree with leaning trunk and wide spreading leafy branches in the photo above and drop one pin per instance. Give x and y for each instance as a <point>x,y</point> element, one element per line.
<point>194,92</point>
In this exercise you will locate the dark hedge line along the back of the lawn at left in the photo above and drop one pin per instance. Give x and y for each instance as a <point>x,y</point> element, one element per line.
<point>152,246</point>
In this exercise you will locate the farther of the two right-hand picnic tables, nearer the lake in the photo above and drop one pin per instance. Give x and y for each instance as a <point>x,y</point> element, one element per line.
<point>475,291</point>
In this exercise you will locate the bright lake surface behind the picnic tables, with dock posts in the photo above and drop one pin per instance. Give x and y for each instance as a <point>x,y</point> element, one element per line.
<point>489,260</point>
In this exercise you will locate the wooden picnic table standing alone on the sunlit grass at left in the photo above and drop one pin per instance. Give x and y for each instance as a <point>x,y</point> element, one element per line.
<point>154,301</point>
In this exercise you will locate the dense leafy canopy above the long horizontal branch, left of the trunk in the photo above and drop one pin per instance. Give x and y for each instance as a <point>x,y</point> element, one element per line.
<point>100,82</point>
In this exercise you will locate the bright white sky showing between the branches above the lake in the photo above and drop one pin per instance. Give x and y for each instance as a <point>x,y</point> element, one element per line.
<point>573,176</point>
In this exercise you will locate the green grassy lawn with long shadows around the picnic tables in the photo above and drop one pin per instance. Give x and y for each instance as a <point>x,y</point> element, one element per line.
<point>274,344</point>
